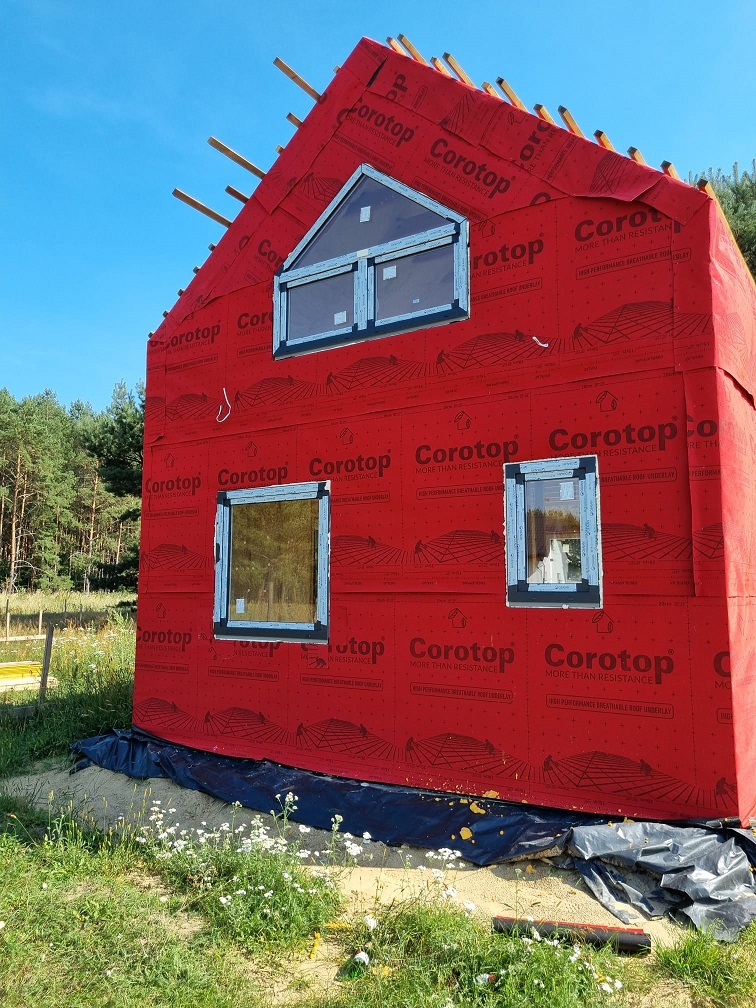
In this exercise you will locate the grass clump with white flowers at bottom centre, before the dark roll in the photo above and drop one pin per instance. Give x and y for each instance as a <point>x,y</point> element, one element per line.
<point>429,953</point>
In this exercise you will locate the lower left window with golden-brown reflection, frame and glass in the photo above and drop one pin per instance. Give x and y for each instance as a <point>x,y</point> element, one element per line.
<point>273,563</point>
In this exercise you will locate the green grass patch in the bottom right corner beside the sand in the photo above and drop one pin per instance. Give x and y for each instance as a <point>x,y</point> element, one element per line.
<point>716,973</point>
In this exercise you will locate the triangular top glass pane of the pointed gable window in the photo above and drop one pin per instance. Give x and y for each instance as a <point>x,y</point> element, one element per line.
<point>371,215</point>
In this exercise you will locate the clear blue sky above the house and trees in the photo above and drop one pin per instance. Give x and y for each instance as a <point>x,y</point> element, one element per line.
<point>107,108</point>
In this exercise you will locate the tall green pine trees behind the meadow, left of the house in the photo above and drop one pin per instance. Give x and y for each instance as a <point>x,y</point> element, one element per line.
<point>70,484</point>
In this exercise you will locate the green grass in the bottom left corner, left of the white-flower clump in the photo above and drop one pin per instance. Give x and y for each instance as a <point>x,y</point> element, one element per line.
<point>77,931</point>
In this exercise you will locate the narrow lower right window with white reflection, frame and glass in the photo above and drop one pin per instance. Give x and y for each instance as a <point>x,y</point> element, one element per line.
<point>553,535</point>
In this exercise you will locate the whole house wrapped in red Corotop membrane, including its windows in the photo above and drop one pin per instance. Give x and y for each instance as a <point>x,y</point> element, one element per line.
<point>486,368</point>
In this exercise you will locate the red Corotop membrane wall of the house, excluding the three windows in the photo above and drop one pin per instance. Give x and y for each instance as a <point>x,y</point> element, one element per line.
<point>591,332</point>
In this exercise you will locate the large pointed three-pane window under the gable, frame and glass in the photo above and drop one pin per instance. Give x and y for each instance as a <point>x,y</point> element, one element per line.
<point>382,260</point>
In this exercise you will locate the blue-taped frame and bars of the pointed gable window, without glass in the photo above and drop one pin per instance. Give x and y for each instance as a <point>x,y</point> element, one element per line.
<point>364,263</point>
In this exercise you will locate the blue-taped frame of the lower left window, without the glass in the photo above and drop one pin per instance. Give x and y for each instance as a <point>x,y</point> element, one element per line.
<point>223,627</point>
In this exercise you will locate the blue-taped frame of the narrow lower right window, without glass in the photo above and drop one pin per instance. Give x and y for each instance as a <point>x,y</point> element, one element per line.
<point>589,593</point>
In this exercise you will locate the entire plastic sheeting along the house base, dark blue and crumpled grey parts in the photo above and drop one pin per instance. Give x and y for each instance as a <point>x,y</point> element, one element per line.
<point>704,871</point>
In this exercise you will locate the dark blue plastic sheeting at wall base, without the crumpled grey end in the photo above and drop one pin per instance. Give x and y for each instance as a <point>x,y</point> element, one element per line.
<point>500,832</point>
